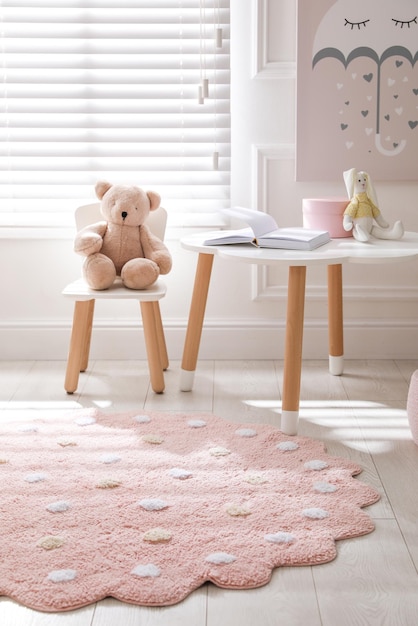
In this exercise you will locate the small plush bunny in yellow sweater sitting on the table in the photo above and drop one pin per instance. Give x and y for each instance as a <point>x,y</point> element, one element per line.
<point>362,210</point>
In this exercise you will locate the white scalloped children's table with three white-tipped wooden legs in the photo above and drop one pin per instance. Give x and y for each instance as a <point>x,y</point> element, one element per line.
<point>334,254</point>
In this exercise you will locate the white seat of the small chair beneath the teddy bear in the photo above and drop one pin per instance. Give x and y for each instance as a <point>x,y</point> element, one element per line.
<point>79,290</point>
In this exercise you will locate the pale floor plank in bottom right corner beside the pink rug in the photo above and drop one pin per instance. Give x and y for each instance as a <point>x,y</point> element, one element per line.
<point>372,582</point>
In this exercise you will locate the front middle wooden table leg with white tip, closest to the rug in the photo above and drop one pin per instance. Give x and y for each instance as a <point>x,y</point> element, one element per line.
<point>293,349</point>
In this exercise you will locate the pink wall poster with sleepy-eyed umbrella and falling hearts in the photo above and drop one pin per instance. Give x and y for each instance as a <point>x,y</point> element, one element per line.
<point>357,89</point>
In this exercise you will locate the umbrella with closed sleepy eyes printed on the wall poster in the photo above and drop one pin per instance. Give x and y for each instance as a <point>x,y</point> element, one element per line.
<point>374,29</point>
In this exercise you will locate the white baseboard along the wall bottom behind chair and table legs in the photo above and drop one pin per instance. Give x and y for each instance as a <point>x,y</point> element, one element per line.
<point>245,339</point>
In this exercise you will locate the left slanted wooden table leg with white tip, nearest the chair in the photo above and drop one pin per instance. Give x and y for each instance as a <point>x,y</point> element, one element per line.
<point>195,323</point>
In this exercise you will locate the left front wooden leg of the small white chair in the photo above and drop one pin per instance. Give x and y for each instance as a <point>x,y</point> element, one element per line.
<point>80,336</point>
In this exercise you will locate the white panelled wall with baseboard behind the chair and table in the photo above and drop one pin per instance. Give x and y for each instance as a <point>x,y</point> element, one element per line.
<point>246,307</point>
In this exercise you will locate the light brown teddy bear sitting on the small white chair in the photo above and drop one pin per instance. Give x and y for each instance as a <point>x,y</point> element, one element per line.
<point>122,245</point>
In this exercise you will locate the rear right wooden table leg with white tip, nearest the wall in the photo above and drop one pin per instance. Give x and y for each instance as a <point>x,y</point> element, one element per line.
<point>335,319</point>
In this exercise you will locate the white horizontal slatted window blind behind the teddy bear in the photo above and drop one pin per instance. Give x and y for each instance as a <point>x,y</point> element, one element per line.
<point>108,89</point>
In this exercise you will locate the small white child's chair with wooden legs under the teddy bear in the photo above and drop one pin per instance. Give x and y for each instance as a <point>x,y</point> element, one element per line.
<point>84,302</point>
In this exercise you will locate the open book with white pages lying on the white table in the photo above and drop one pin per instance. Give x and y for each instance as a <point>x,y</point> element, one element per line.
<point>264,233</point>
